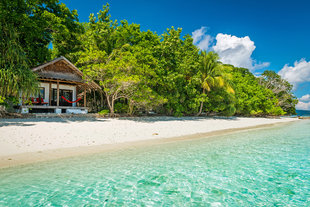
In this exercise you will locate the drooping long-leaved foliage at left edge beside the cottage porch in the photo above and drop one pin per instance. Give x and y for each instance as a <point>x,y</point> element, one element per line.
<point>15,76</point>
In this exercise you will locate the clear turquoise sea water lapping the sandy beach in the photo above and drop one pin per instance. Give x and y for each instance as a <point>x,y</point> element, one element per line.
<point>266,167</point>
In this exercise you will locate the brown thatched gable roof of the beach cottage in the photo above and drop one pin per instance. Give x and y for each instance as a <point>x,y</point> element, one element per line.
<point>62,69</point>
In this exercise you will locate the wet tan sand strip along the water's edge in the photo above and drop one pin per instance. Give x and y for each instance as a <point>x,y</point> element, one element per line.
<point>24,158</point>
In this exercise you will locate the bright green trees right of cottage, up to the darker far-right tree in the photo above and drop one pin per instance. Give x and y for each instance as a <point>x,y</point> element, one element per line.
<point>166,73</point>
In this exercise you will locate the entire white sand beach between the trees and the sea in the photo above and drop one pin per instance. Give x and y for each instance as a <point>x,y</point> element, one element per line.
<point>21,139</point>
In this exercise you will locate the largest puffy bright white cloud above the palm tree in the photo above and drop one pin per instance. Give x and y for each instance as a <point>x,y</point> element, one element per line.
<point>237,51</point>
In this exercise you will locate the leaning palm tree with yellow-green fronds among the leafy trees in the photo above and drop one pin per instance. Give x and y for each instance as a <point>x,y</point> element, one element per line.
<point>212,75</point>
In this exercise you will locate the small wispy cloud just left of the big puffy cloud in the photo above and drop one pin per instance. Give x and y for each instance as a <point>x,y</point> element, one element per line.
<point>202,39</point>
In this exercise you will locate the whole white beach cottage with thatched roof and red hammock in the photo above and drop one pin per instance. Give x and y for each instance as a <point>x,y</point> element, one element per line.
<point>62,89</point>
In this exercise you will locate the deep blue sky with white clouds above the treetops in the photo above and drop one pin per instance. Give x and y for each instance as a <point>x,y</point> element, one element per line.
<point>277,32</point>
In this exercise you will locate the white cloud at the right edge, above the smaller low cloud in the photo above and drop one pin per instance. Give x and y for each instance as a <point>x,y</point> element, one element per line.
<point>299,73</point>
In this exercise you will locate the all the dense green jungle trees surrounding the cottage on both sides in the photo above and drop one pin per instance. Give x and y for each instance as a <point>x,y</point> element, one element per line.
<point>138,71</point>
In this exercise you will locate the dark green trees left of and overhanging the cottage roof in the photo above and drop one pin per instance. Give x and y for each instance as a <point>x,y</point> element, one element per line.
<point>27,27</point>
